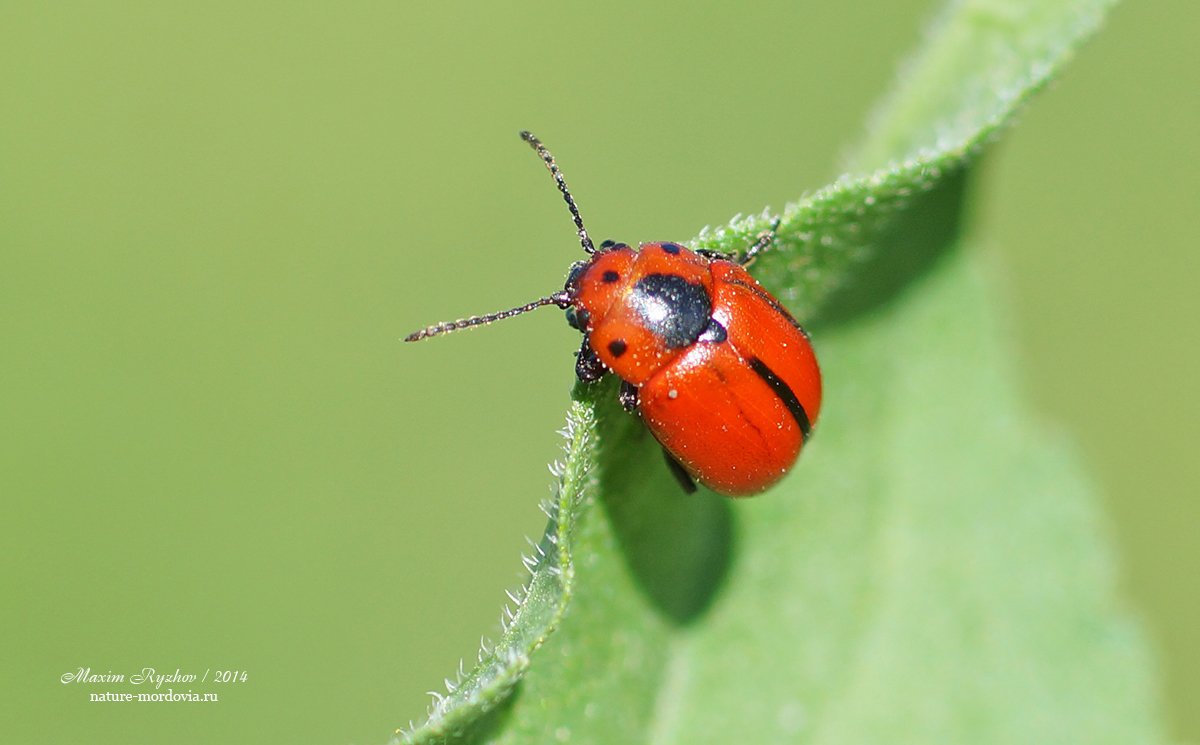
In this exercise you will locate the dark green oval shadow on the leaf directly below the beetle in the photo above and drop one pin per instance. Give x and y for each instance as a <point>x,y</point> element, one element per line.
<point>677,546</point>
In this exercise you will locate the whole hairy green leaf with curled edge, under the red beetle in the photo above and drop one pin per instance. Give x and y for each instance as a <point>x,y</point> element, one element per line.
<point>934,570</point>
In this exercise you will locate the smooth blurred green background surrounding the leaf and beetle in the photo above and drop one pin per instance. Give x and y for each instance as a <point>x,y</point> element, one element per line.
<point>217,223</point>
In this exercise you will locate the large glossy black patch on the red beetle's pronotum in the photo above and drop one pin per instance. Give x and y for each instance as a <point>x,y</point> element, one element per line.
<point>673,309</point>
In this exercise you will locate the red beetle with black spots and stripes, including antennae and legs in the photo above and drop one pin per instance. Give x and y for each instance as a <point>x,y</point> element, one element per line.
<point>721,372</point>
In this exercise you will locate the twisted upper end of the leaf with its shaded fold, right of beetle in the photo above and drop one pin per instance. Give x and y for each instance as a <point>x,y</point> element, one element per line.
<point>855,244</point>
